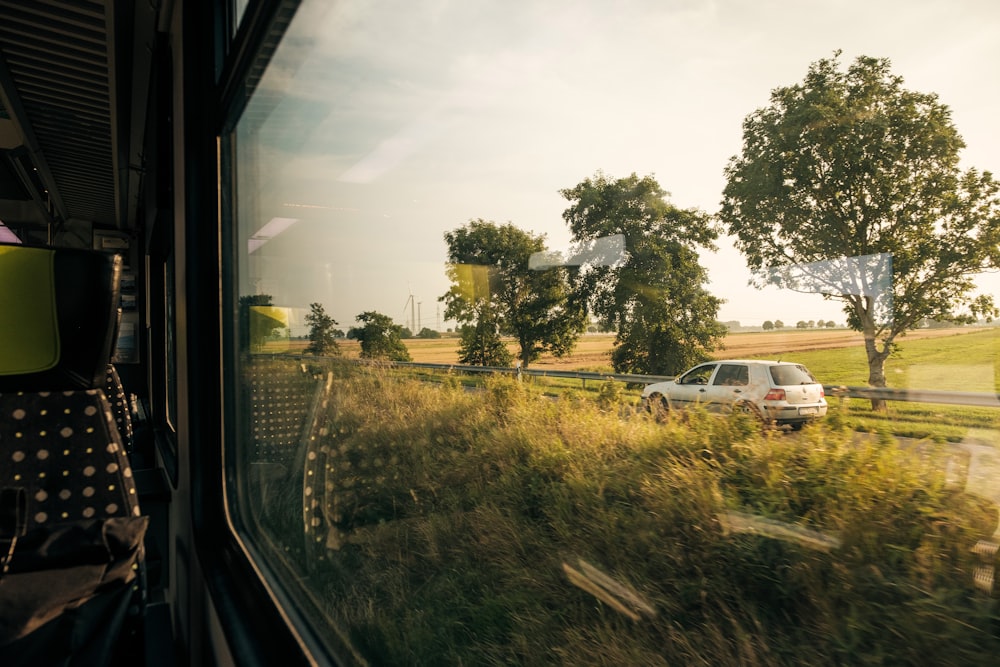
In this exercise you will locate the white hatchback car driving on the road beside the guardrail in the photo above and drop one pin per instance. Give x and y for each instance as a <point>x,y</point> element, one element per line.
<point>778,392</point>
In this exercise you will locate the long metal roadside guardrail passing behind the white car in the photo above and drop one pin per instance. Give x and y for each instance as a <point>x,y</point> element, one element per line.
<point>966,398</point>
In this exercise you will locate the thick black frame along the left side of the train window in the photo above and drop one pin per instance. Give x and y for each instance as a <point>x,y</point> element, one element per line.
<point>260,623</point>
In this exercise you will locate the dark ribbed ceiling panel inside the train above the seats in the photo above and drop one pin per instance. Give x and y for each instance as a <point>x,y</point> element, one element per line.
<point>73,86</point>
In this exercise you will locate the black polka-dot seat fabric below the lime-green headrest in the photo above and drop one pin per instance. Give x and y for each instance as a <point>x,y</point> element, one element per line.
<point>76,520</point>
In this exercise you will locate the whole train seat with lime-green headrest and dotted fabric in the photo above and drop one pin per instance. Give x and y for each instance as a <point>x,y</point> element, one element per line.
<point>71,529</point>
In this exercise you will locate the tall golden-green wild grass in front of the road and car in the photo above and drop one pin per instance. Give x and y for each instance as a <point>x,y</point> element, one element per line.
<point>484,527</point>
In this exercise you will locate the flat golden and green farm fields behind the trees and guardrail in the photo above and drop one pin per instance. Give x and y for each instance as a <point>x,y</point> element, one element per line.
<point>953,359</point>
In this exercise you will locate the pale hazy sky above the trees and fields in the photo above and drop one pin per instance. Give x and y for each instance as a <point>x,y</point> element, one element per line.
<point>397,122</point>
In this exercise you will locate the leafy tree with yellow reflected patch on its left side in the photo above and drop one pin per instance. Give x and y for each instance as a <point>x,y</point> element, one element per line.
<point>497,288</point>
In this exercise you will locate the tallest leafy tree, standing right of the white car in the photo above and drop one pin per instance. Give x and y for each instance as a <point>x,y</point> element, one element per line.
<point>849,185</point>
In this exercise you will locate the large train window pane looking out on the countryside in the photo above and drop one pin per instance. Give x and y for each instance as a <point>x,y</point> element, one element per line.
<point>468,233</point>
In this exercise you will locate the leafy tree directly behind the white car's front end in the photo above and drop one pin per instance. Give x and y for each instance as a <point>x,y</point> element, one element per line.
<point>653,293</point>
